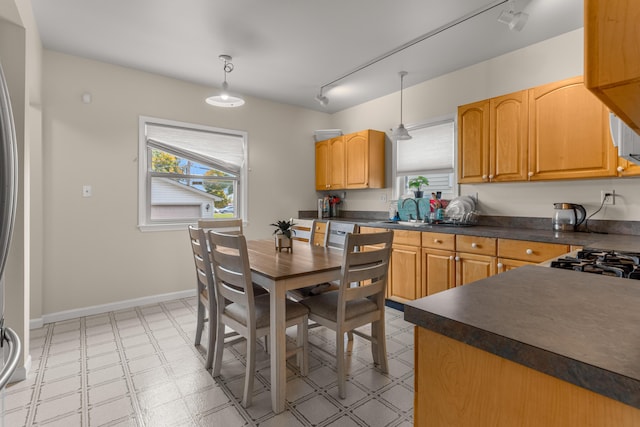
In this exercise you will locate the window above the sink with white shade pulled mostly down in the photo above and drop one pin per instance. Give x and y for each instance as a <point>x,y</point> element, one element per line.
<point>430,153</point>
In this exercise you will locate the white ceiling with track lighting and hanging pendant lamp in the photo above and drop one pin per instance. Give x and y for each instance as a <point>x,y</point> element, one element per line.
<point>285,50</point>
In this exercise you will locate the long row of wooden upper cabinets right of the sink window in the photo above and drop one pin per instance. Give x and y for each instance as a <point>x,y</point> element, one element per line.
<point>550,132</point>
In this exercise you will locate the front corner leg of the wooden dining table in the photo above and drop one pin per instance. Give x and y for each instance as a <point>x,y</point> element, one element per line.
<point>278,348</point>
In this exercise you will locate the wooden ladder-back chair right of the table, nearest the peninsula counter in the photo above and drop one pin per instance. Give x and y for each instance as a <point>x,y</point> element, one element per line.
<point>349,307</point>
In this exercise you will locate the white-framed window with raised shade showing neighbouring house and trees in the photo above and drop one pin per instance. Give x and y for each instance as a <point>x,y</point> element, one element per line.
<point>188,172</point>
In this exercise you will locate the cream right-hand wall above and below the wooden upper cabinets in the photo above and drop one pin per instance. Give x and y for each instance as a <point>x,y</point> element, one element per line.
<point>550,60</point>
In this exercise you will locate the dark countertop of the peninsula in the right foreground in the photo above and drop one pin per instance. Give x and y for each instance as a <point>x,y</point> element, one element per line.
<point>578,327</point>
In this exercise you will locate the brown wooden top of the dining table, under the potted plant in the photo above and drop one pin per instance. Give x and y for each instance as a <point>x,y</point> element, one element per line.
<point>305,259</point>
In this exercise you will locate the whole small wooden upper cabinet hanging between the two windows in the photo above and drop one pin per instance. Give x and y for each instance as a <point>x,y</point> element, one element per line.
<point>351,161</point>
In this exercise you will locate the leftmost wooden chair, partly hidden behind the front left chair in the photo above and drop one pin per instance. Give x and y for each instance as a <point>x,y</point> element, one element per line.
<point>206,291</point>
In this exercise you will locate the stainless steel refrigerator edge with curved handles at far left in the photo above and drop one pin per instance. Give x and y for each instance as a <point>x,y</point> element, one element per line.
<point>9,341</point>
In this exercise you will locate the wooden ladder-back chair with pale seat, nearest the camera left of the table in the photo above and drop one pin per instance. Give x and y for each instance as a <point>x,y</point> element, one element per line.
<point>247,314</point>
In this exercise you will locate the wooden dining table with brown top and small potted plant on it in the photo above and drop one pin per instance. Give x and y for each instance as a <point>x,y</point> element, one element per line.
<point>279,272</point>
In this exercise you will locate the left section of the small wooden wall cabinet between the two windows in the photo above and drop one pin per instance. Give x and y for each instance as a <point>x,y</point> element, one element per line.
<point>330,164</point>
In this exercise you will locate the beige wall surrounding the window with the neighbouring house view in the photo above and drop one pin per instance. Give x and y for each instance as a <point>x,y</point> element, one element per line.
<point>94,252</point>
